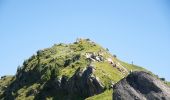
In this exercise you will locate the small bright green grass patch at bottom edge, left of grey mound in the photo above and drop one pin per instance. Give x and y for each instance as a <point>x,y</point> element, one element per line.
<point>107,95</point>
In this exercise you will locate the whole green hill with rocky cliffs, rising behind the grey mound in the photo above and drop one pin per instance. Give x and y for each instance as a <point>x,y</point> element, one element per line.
<point>67,71</point>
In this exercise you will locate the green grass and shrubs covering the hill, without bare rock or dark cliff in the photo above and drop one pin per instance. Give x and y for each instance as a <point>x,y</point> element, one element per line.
<point>64,59</point>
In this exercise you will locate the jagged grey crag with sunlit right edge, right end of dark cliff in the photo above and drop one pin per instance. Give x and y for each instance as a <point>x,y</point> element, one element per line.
<point>85,83</point>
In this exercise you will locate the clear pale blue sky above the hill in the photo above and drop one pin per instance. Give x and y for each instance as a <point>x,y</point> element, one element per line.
<point>134,30</point>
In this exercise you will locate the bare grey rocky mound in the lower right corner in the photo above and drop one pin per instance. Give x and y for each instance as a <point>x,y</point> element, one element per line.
<point>141,86</point>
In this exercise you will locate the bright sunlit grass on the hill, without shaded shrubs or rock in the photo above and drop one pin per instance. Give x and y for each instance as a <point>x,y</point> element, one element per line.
<point>58,54</point>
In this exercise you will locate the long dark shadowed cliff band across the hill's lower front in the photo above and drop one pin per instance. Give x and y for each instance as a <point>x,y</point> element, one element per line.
<point>82,84</point>
